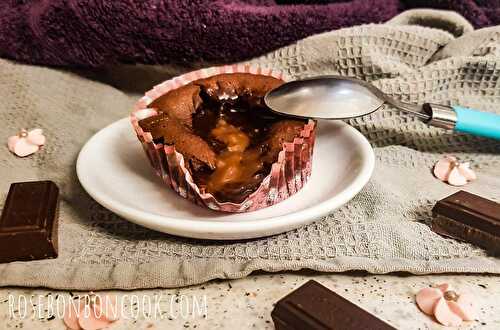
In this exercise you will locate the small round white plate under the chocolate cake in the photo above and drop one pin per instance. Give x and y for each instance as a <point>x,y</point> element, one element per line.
<point>114,170</point>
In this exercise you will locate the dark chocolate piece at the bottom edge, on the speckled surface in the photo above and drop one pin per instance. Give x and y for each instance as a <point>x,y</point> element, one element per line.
<point>313,306</point>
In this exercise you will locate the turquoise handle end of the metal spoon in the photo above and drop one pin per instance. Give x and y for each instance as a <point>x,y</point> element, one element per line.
<point>479,123</point>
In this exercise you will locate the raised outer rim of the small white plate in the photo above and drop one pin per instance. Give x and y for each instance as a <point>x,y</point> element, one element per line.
<point>199,229</point>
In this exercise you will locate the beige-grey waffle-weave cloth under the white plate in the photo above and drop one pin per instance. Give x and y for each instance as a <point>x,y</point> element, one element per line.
<point>419,56</point>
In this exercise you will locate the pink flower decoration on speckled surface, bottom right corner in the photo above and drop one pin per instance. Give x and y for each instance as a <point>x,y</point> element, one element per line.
<point>448,307</point>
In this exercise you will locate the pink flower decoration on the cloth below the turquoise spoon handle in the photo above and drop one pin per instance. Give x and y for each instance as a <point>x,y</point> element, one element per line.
<point>448,169</point>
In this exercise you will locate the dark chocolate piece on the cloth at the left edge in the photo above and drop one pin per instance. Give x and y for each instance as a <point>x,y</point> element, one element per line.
<point>28,226</point>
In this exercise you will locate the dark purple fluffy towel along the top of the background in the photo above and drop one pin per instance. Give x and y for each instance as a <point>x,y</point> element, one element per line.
<point>97,32</point>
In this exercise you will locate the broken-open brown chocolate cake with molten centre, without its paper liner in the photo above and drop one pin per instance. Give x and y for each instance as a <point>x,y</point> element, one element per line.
<point>228,137</point>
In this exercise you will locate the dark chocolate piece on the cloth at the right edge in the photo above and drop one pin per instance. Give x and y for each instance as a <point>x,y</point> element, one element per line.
<point>470,218</point>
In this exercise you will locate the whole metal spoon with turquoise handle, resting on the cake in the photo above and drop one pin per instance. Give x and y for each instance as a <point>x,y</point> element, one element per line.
<point>335,97</point>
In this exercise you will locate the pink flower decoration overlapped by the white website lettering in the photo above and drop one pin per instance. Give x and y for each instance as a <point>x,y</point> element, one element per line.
<point>96,312</point>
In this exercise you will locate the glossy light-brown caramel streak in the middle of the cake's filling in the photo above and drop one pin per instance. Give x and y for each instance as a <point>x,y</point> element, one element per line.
<point>236,164</point>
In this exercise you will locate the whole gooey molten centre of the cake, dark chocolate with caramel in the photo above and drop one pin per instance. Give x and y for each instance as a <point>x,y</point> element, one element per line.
<point>238,130</point>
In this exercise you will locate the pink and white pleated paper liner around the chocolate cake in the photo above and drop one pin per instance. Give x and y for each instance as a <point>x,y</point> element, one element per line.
<point>288,174</point>
